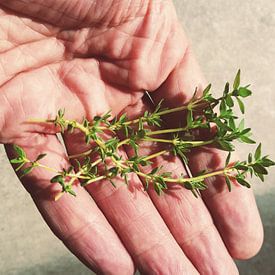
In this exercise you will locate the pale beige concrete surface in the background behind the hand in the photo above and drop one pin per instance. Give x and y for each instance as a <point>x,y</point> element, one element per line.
<point>226,35</point>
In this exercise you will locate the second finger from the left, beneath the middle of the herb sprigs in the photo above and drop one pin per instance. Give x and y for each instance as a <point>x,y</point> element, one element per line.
<point>136,221</point>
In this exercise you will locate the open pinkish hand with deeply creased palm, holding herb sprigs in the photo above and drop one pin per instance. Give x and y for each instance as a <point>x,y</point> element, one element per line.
<point>89,57</point>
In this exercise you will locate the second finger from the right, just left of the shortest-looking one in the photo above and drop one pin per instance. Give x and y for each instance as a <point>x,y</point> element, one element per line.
<point>186,216</point>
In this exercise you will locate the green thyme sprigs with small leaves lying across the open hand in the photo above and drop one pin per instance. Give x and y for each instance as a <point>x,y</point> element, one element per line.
<point>104,160</point>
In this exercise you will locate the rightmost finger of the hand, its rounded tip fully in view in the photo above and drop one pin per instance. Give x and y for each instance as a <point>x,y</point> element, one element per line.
<point>229,209</point>
